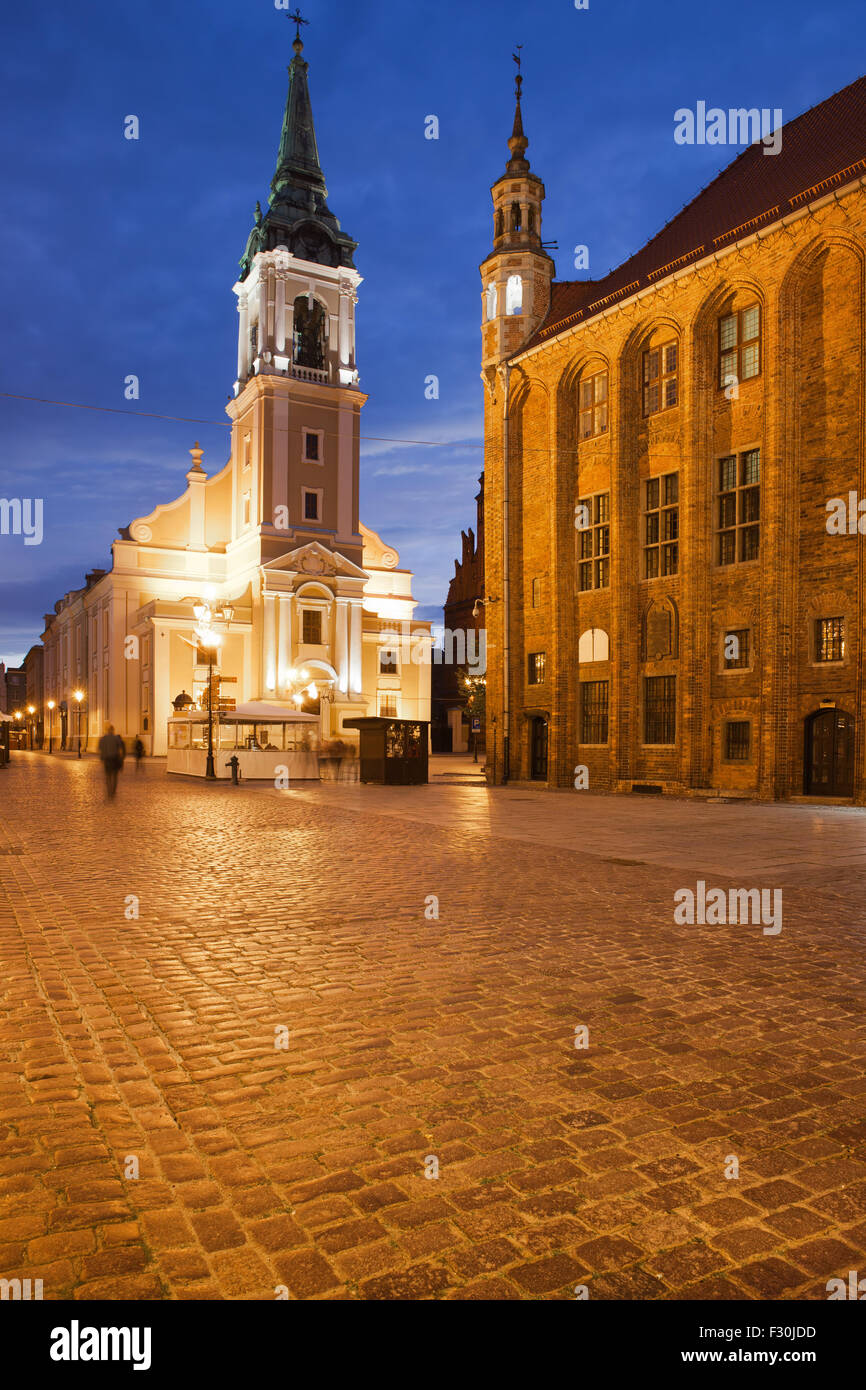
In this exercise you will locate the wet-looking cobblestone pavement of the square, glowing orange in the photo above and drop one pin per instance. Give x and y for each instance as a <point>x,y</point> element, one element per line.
<point>154,1038</point>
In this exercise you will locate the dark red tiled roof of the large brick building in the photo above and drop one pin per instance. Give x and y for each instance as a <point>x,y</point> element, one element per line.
<point>821,151</point>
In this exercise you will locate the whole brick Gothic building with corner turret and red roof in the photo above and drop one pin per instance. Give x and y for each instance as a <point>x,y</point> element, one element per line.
<point>672,601</point>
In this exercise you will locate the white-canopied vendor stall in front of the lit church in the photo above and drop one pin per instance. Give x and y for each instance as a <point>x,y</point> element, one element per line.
<point>265,739</point>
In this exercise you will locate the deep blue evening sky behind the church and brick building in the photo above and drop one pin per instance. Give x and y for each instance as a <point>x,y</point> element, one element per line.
<point>120,256</point>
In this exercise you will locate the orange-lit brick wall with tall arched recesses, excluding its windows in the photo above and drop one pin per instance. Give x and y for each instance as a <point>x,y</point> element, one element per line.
<point>804,412</point>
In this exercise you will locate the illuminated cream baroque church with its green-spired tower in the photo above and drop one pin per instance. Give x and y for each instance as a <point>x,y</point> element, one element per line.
<point>273,541</point>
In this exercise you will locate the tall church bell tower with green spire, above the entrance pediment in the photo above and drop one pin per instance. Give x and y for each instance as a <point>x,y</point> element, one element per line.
<point>297,401</point>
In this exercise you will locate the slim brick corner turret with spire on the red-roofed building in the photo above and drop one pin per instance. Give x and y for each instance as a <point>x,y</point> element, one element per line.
<point>516,276</point>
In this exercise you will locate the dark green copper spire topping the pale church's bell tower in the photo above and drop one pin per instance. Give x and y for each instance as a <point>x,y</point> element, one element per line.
<point>298,215</point>
